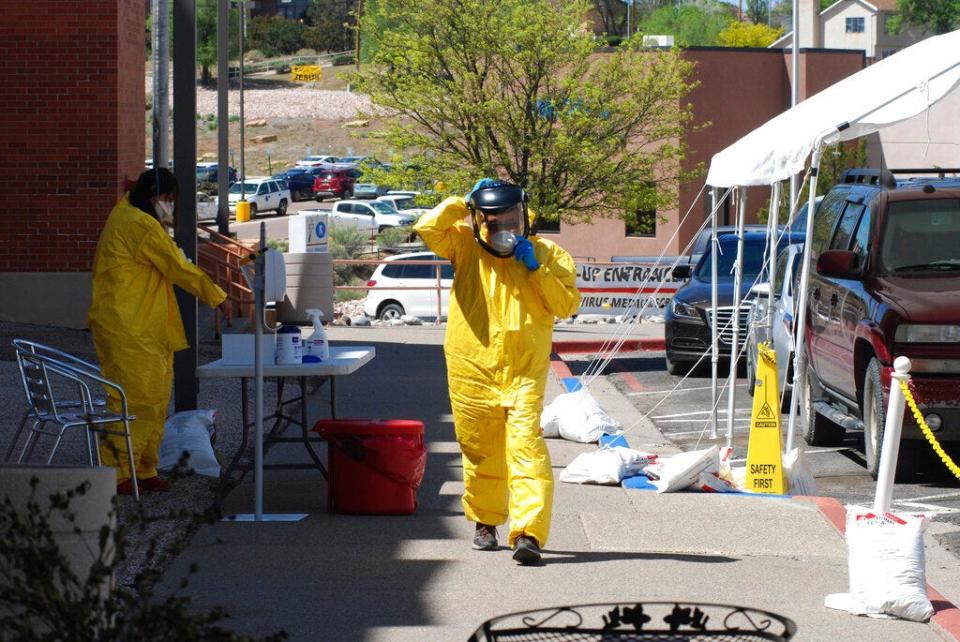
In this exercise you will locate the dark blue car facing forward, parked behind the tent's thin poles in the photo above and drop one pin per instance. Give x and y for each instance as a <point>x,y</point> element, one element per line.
<point>687,321</point>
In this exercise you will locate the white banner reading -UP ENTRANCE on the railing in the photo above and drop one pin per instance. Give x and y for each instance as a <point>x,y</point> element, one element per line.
<point>626,288</point>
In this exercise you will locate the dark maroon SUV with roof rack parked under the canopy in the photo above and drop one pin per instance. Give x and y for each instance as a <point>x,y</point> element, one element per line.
<point>884,282</point>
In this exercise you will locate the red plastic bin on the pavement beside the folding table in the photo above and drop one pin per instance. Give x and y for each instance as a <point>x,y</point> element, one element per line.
<point>374,466</point>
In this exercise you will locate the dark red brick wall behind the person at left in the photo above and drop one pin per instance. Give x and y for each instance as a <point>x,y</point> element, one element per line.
<point>71,125</point>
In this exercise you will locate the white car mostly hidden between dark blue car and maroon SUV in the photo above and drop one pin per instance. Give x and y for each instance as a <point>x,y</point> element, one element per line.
<point>780,334</point>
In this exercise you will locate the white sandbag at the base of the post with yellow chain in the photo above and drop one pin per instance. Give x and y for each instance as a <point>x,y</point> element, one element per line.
<point>886,564</point>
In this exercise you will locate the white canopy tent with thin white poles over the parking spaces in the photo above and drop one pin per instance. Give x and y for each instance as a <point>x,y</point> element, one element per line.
<point>889,91</point>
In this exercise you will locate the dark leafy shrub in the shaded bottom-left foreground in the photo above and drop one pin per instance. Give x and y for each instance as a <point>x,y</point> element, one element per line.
<point>45,599</point>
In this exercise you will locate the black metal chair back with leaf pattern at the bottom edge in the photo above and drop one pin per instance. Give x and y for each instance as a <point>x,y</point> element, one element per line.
<point>635,621</point>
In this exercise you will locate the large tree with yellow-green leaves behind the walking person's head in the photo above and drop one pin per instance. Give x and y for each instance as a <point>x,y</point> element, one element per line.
<point>516,89</point>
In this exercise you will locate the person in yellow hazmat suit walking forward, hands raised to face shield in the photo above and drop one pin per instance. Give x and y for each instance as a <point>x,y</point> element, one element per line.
<point>508,288</point>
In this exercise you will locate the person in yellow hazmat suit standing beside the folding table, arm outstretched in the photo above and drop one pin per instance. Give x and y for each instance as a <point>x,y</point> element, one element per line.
<point>135,321</point>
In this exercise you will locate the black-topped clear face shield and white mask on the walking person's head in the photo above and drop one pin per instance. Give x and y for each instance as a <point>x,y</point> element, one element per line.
<point>499,215</point>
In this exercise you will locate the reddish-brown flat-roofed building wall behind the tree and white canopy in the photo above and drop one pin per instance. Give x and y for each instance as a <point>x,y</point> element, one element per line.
<point>739,90</point>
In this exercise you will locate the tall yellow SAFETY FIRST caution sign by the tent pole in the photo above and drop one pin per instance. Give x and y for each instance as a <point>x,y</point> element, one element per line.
<point>764,464</point>
